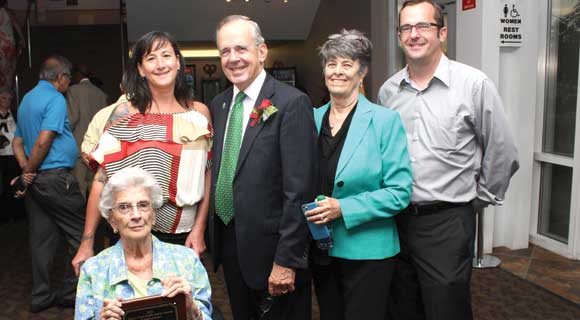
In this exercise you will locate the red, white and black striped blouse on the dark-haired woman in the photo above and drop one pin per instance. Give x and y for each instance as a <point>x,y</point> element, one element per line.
<point>174,148</point>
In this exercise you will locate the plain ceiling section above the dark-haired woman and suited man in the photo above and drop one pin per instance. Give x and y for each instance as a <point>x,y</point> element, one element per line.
<point>196,20</point>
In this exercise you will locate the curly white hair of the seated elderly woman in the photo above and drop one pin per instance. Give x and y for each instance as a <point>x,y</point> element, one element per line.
<point>124,179</point>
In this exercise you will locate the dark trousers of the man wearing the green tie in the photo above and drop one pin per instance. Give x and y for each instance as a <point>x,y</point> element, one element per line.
<point>251,304</point>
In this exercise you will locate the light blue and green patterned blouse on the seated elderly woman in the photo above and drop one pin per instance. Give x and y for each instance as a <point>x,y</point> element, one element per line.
<point>105,277</point>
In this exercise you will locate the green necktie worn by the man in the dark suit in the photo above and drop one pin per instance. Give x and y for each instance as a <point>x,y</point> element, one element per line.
<point>224,197</point>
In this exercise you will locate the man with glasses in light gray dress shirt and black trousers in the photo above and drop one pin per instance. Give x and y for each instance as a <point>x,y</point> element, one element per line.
<point>462,158</point>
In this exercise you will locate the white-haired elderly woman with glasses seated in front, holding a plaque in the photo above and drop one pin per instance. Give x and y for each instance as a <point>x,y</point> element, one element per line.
<point>139,264</point>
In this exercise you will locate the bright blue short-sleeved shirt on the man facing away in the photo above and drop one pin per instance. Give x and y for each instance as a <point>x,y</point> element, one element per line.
<point>44,108</point>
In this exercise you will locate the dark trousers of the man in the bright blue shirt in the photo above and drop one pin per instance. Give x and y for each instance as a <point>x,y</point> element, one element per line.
<point>56,210</point>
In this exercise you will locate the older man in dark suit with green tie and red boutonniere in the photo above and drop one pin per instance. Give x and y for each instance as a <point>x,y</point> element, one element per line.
<point>264,170</point>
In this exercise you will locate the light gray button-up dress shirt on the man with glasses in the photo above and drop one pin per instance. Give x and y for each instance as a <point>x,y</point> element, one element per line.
<point>457,132</point>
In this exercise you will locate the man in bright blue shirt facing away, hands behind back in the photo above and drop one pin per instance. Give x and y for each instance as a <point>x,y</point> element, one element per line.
<point>46,151</point>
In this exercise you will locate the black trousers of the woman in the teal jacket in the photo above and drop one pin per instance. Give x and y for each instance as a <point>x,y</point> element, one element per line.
<point>353,289</point>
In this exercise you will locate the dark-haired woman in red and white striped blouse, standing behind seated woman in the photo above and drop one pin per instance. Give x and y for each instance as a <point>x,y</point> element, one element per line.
<point>163,131</point>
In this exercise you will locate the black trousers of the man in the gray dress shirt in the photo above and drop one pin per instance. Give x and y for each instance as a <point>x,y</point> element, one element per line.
<point>433,272</point>
